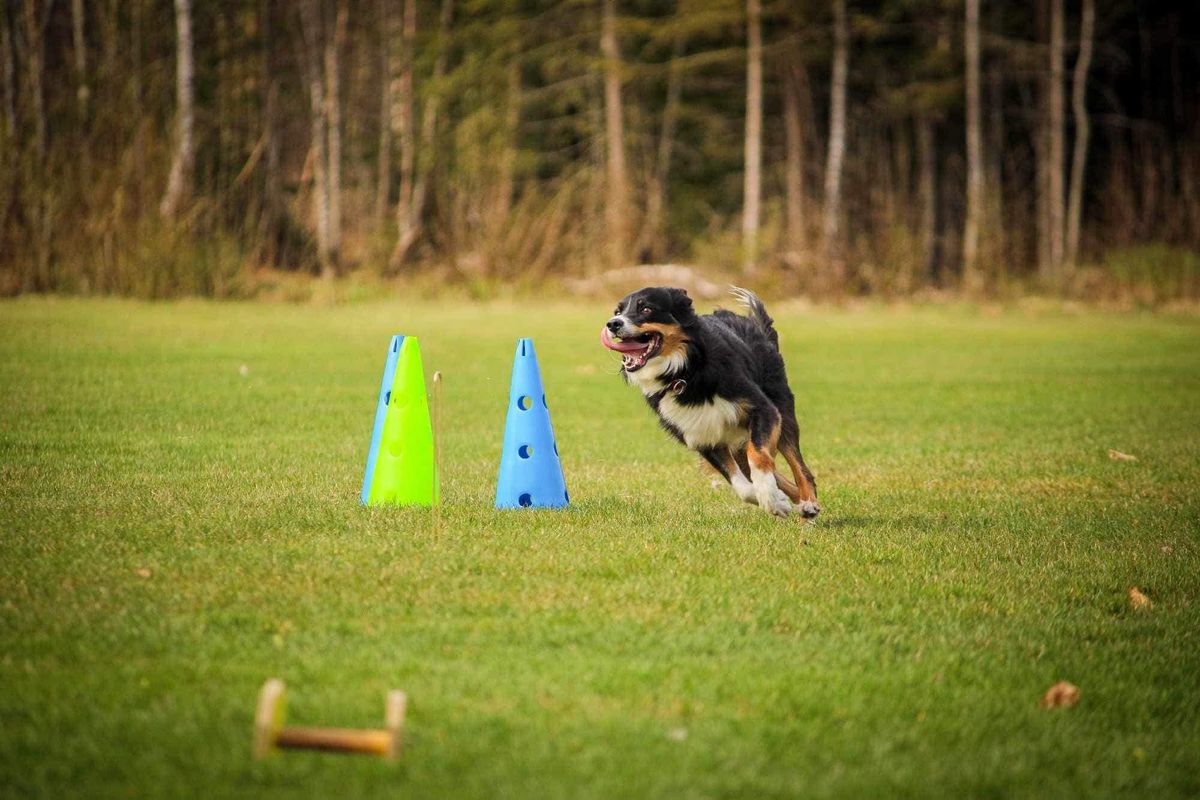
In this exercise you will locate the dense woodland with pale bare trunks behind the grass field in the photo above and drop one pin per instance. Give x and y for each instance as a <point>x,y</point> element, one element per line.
<point>831,147</point>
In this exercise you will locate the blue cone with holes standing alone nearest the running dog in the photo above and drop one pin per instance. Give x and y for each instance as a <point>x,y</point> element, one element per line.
<point>531,473</point>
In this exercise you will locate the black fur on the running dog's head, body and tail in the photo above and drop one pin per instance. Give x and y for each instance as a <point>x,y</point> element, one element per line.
<point>729,357</point>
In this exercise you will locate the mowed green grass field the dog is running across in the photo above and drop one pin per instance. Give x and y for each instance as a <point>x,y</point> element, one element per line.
<point>175,532</point>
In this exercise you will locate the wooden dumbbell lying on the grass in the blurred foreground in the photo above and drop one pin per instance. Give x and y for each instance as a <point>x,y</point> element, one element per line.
<point>271,733</point>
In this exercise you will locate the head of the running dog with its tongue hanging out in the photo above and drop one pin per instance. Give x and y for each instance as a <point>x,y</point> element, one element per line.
<point>649,324</point>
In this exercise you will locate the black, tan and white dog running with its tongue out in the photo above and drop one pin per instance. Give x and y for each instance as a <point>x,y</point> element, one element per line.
<point>719,387</point>
